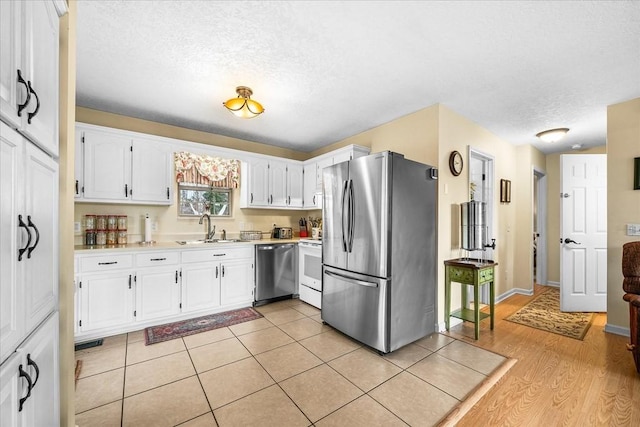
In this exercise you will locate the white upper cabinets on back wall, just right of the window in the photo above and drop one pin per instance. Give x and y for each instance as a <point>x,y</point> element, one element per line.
<point>272,183</point>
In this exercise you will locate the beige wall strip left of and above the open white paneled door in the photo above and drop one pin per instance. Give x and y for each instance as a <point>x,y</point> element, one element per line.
<point>553,210</point>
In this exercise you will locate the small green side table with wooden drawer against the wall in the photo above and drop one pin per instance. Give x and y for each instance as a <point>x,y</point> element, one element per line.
<point>472,272</point>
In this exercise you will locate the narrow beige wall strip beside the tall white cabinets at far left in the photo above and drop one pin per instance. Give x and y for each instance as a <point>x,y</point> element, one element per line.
<point>66,279</point>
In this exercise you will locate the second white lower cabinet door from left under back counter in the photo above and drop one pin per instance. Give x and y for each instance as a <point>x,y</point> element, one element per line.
<point>157,293</point>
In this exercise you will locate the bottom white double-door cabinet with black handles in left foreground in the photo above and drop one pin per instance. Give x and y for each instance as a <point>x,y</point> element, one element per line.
<point>30,381</point>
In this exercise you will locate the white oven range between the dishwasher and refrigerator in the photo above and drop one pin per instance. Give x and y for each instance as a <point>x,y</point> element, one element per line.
<point>310,271</point>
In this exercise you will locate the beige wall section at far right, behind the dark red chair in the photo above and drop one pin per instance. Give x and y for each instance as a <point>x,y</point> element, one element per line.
<point>623,203</point>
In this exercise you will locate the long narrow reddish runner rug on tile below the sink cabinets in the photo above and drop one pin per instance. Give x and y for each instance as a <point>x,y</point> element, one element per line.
<point>183,328</point>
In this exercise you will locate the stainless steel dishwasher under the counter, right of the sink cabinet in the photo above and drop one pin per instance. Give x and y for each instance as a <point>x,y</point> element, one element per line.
<point>276,272</point>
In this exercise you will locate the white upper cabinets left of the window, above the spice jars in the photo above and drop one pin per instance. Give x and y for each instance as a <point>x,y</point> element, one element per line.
<point>116,167</point>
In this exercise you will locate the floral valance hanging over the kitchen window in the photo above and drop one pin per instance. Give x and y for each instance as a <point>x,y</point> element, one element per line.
<point>201,169</point>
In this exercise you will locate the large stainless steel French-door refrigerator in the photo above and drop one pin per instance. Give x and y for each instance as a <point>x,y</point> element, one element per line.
<point>380,249</point>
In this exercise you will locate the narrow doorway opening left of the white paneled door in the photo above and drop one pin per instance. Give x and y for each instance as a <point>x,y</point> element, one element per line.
<point>539,227</point>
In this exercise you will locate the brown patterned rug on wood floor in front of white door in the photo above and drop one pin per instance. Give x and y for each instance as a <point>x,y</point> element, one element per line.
<point>544,313</point>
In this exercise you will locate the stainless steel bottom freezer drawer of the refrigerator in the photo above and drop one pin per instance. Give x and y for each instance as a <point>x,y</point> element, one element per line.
<point>356,305</point>
